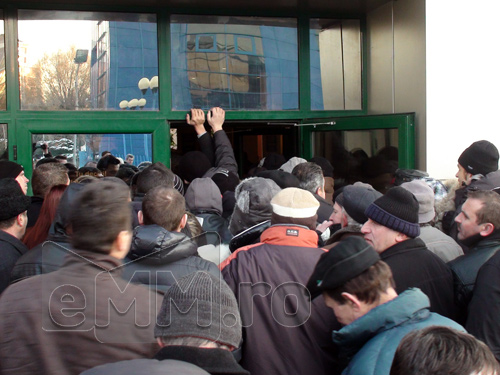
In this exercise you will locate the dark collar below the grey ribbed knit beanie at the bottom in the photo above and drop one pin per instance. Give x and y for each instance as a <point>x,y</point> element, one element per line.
<point>214,361</point>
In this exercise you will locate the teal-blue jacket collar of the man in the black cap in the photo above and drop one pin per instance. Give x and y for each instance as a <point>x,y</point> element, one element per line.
<point>409,305</point>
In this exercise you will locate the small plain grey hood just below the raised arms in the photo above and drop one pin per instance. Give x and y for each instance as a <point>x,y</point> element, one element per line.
<point>203,195</point>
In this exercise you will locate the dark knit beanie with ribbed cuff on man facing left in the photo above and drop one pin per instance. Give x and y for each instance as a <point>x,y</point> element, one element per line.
<point>397,210</point>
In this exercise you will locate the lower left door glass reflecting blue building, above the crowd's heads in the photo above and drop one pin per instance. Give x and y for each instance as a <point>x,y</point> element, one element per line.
<point>89,147</point>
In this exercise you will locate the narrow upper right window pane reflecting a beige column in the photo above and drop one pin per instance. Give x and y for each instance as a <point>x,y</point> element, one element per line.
<point>335,53</point>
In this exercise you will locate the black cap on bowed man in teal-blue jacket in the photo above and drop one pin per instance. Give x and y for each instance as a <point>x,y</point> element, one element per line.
<point>348,259</point>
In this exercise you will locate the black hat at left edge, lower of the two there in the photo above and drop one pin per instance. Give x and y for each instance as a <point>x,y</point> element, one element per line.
<point>12,199</point>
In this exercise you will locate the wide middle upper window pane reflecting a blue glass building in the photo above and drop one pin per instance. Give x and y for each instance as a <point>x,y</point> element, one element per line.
<point>234,62</point>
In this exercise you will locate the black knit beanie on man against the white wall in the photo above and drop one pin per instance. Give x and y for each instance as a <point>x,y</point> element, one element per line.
<point>481,157</point>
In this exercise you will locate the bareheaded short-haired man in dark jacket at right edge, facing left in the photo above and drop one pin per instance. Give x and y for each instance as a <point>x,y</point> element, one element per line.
<point>478,228</point>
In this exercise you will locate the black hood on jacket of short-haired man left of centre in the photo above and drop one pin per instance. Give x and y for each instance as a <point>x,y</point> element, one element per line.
<point>156,244</point>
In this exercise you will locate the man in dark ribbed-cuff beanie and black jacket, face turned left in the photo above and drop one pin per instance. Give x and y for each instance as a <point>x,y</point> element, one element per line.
<point>391,229</point>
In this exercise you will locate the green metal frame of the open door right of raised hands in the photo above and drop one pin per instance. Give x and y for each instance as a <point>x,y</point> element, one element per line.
<point>404,123</point>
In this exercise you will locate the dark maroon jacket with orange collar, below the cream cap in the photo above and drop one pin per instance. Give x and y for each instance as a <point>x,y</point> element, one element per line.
<point>285,333</point>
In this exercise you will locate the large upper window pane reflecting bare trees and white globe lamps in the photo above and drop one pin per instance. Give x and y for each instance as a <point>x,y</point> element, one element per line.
<point>87,61</point>
